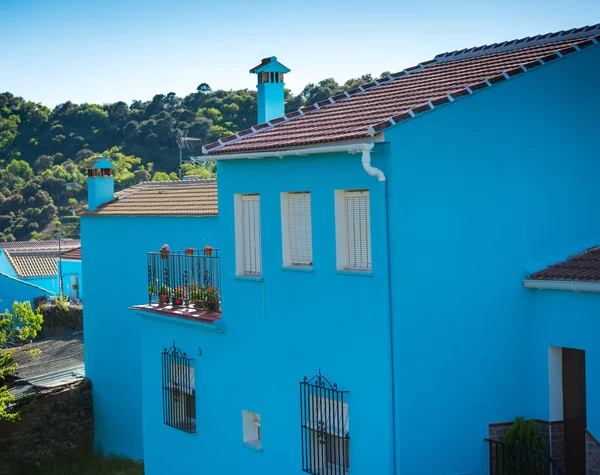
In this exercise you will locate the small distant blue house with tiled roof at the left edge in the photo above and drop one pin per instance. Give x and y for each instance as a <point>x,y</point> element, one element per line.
<point>37,265</point>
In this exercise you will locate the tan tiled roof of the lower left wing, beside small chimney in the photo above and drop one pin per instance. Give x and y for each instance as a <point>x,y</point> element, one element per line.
<point>169,198</point>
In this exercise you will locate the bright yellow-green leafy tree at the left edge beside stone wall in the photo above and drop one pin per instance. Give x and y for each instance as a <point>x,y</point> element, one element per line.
<point>20,324</point>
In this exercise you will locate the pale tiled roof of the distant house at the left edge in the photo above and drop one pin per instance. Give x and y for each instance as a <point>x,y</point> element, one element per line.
<point>36,259</point>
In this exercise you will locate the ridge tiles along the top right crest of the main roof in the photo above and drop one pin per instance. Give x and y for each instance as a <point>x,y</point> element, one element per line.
<point>573,33</point>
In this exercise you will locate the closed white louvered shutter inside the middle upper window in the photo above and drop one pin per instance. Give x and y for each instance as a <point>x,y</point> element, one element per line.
<point>300,228</point>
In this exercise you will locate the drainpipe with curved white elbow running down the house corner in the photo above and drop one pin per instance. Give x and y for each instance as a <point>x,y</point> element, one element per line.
<point>376,172</point>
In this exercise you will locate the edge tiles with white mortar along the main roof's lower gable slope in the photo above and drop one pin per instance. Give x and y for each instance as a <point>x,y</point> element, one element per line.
<point>467,91</point>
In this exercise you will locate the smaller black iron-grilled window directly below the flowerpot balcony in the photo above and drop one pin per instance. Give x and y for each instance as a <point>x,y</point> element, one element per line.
<point>179,390</point>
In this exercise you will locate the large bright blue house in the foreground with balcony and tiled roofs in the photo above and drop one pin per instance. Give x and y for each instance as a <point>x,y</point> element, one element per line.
<point>374,299</point>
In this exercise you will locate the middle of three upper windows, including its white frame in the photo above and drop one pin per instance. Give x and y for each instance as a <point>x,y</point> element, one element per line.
<point>296,237</point>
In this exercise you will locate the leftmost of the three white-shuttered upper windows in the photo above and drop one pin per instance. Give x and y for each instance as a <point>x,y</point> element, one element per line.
<point>248,245</point>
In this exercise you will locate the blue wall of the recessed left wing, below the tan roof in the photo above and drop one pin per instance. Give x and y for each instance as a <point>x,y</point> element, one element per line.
<point>116,274</point>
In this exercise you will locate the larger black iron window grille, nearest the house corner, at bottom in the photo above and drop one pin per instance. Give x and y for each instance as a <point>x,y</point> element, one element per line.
<point>324,427</point>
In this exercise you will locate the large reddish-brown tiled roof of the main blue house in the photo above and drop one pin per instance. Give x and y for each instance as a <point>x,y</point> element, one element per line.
<point>366,111</point>
